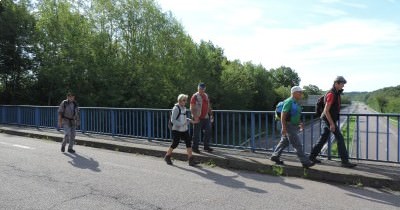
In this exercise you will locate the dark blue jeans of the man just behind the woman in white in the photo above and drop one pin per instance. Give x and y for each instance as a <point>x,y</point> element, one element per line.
<point>205,125</point>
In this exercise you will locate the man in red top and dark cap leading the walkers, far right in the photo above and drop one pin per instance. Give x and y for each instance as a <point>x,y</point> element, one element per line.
<point>329,118</point>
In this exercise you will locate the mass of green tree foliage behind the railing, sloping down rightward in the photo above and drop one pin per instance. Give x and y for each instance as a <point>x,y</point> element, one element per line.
<point>122,53</point>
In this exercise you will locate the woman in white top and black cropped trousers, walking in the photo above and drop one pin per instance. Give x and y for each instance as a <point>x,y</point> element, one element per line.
<point>180,129</point>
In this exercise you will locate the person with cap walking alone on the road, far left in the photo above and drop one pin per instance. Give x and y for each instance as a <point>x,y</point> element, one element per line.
<point>68,119</point>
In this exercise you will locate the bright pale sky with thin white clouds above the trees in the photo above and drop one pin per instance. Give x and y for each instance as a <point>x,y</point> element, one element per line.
<point>318,39</point>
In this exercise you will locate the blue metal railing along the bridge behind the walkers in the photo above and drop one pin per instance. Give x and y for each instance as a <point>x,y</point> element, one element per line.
<point>376,140</point>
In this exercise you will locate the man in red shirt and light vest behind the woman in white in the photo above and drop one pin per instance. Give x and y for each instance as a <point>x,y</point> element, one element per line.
<point>201,112</point>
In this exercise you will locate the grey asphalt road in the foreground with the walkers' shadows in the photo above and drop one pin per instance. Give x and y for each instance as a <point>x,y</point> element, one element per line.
<point>34,174</point>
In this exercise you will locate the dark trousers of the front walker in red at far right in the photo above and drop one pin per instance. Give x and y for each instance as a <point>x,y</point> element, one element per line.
<point>326,132</point>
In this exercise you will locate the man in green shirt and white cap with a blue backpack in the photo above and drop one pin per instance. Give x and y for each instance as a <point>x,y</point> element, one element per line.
<point>291,124</point>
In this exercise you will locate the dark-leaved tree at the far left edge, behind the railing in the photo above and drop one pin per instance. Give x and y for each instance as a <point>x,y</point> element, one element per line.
<point>16,55</point>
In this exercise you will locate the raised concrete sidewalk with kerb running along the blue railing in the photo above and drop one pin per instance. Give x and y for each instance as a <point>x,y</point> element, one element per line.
<point>367,173</point>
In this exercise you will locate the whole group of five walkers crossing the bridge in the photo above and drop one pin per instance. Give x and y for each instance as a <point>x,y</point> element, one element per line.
<point>202,118</point>
